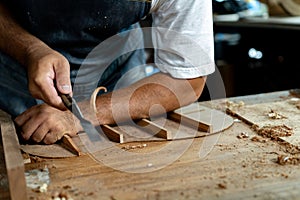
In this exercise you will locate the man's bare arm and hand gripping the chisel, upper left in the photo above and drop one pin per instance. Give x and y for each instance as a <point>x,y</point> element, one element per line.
<point>47,69</point>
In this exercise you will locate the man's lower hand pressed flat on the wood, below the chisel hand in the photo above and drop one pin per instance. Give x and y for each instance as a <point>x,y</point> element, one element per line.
<point>46,124</point>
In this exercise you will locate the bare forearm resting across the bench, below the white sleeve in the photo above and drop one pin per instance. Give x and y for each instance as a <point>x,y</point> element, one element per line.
<point>151,96</point>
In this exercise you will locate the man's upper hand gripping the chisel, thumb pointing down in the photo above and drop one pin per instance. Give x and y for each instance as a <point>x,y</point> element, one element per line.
<point>48,75</point>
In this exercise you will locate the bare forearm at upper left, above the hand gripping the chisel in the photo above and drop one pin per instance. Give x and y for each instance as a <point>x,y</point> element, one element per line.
<point>14,40</point>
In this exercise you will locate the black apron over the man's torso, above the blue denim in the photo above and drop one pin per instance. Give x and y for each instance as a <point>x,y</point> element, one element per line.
<point>76,27</point>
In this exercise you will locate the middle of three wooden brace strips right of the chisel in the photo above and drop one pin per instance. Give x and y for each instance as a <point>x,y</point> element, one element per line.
<point>155,129</point>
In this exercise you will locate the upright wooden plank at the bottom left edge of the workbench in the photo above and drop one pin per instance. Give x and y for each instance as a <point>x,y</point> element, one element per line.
<point>14,161</point>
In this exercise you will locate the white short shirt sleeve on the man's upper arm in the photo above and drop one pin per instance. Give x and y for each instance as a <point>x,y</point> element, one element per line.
<point>182,36</point>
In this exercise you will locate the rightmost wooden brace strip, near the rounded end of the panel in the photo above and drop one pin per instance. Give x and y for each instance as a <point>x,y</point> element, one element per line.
<point>181,118</point>
